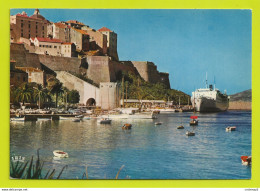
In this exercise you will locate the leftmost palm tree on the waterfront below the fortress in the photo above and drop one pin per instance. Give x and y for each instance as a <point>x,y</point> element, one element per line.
<point>24,93</point>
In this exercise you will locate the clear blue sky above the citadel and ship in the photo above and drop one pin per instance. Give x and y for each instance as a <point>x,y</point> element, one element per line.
<point>185,43</point>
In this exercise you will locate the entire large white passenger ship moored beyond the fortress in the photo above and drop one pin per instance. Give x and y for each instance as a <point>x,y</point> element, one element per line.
<point>209,99</point>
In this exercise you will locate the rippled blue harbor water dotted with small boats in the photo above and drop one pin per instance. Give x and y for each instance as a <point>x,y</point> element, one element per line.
<point>147,151</point>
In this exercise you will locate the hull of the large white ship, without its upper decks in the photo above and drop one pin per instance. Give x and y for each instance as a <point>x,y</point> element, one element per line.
<point>210,105</point>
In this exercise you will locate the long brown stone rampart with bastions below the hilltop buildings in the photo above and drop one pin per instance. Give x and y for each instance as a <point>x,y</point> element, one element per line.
<point>97,68</point>
